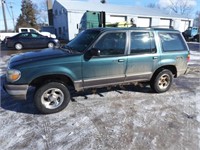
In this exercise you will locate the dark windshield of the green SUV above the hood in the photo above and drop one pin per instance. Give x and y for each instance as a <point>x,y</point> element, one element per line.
<point>83,40</point>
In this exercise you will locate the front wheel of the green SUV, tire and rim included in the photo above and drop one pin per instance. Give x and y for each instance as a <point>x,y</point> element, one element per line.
<point>51,97</point>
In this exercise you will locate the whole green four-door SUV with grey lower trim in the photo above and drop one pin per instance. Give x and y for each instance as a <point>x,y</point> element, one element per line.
<point>97,58</point>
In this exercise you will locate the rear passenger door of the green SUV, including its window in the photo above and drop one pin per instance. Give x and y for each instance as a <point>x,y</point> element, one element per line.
<point>143,57</point>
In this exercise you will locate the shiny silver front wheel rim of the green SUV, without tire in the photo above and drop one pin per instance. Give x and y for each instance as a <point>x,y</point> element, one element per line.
<point>52,98</point>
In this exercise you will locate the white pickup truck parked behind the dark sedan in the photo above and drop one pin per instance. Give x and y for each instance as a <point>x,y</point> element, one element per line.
<point>10,34</point>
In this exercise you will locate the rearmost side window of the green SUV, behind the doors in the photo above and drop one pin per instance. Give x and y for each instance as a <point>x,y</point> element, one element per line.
<point>172,42</point>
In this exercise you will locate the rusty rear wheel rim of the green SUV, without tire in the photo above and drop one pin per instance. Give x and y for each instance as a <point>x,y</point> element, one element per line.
<point>164,81</point>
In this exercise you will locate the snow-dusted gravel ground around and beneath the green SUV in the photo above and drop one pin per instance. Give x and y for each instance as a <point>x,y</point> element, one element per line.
<point>119,118</point>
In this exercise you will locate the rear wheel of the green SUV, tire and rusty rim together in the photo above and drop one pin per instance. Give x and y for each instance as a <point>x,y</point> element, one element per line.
<point>162,81</point>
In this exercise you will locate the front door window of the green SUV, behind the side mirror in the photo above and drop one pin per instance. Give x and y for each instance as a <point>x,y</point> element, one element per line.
<point>112,44</point>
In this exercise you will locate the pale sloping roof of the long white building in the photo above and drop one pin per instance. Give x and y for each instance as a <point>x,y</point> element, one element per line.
<point>118,9</point>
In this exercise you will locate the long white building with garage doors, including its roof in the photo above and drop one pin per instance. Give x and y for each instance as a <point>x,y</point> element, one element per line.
<point>67,16</point>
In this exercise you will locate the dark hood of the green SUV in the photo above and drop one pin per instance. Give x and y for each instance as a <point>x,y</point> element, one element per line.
<point>37,55</point>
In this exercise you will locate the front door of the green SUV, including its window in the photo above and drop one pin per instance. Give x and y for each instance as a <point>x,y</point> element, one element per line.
<point>108,68</point>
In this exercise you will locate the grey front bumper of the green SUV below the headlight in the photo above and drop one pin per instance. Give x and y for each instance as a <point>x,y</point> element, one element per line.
<point>19,92</point>
